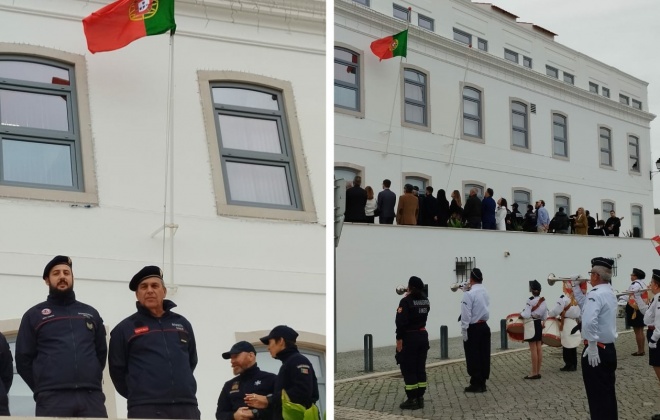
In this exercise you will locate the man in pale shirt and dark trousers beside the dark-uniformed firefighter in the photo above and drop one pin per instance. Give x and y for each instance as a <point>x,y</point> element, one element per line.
<point>475,311</point>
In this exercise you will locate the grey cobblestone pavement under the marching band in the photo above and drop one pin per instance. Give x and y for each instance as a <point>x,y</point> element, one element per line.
<point>557,395</point>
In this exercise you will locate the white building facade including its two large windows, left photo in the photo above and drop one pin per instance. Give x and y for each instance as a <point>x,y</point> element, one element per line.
<point>227,196</point>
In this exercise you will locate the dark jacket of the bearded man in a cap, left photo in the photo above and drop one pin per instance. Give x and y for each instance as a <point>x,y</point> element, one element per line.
<point>252,381</point>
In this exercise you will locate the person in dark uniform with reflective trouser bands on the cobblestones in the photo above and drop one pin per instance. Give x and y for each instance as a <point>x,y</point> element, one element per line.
<point>412,342</point>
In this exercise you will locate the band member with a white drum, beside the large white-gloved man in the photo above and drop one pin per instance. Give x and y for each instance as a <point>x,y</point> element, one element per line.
<point>568,310</point>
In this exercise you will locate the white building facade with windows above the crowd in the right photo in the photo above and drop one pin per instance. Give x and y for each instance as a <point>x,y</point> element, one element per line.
<point>484,100</point>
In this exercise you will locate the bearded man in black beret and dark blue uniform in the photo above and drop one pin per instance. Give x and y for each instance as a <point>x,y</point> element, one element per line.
<point>61,349</point>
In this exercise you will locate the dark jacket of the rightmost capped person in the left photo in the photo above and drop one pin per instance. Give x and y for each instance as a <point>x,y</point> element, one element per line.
<point>297,378</point>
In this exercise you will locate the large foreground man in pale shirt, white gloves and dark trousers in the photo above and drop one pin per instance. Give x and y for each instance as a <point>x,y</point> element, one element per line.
<point>599,332</point>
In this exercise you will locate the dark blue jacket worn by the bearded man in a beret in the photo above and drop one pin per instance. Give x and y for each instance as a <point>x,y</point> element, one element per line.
<point>61,345</point>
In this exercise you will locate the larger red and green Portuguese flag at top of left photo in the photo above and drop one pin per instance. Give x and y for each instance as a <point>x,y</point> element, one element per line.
<point>122,22</point>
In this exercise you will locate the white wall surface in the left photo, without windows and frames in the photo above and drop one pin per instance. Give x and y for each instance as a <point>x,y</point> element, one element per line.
<point>231,275</point>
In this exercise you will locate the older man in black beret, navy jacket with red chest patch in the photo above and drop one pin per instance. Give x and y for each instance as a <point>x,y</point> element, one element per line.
<point>153,354</point>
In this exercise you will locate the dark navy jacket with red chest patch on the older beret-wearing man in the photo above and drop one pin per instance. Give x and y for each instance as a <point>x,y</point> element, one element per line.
<point>152,359</point>
